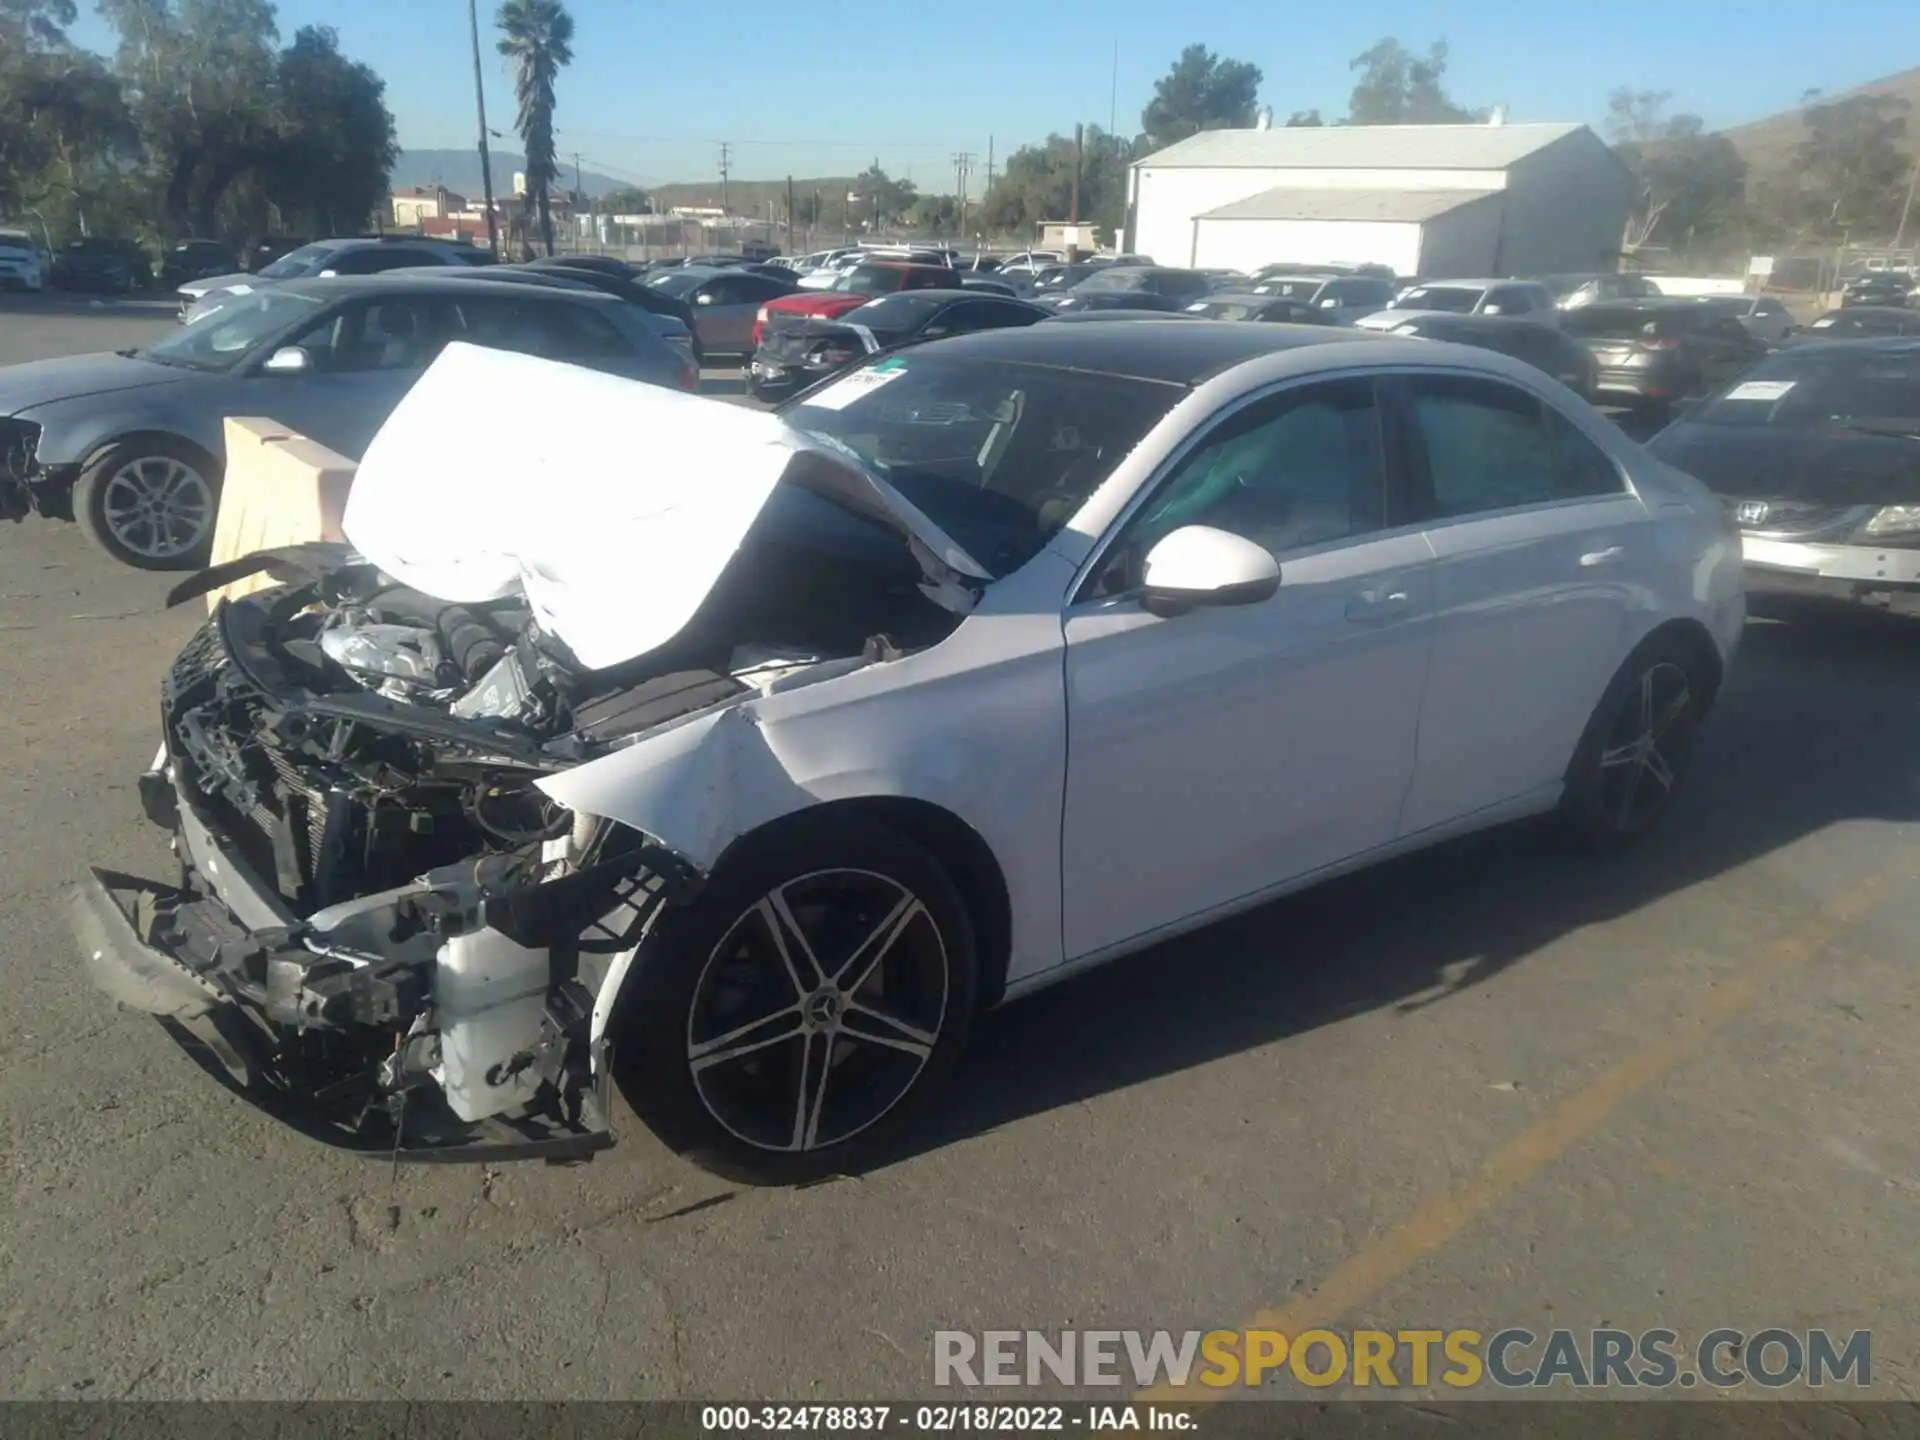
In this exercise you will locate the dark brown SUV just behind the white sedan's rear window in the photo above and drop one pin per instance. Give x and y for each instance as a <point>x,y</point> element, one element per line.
<point>1658,352</point>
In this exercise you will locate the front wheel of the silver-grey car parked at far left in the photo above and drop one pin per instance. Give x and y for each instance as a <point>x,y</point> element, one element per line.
<point>151,504</point>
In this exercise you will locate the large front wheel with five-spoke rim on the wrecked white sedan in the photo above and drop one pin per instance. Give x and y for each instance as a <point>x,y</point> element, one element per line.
<point>798,1017</point>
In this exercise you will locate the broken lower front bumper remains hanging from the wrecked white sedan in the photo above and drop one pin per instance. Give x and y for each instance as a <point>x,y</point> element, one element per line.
<point>283,1019</point>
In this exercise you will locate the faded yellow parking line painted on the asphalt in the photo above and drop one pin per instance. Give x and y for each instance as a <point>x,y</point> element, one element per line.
<point>1387,1259</point>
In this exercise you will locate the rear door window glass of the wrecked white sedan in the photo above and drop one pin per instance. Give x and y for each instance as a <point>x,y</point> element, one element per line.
<point>1495,448</point>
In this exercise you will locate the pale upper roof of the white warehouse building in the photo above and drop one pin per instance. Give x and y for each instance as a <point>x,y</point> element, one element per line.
<point>1364,147</point>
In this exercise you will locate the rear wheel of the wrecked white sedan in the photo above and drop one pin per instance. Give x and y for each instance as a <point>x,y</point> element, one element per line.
<point>1637,746</point>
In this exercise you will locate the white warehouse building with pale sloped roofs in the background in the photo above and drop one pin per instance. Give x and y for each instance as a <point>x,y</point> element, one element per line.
<point>1429,201</point>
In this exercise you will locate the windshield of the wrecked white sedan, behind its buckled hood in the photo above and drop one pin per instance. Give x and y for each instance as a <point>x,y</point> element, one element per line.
<point>997,454</point>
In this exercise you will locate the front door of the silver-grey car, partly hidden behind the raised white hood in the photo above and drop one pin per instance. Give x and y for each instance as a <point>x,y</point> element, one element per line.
<point>362,360</point>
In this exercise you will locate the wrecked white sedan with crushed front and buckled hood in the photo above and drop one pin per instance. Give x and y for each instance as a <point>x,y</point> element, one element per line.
<point>750,765</point>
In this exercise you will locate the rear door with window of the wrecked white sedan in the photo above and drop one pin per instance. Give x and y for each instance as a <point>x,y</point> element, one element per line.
<point>1541,552</point>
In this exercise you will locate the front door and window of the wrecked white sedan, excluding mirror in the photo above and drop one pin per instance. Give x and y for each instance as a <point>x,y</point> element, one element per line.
<point>1224,752</point>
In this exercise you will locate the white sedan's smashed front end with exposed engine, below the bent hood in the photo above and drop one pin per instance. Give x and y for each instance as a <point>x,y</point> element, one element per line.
<point>385,932</point>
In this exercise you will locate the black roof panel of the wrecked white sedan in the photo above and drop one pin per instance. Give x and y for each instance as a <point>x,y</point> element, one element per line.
<point>1172,350</point>
